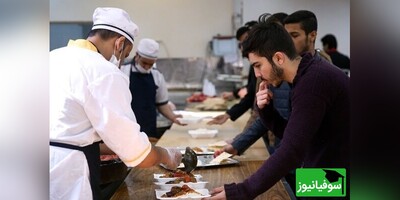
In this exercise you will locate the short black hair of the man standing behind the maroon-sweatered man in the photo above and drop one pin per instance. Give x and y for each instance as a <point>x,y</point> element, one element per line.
<point>307,19</point>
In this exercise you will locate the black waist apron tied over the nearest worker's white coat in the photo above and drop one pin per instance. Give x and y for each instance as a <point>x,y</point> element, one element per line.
<point>92,154</point>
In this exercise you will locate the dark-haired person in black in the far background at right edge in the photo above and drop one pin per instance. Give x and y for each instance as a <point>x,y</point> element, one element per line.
<point>329,45</point>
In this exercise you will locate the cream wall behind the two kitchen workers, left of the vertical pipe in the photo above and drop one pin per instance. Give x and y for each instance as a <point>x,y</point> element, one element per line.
<point>183,27</point>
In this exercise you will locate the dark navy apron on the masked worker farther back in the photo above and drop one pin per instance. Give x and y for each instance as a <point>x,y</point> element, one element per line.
<point>143,103</point>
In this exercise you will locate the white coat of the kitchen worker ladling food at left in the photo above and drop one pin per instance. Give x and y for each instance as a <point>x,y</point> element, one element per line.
<point>89,101</point>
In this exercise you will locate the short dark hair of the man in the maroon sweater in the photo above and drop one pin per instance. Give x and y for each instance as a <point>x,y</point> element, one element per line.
<point>265,39</point>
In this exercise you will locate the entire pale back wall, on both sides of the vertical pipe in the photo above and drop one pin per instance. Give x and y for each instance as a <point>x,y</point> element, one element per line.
<point>184,27</point>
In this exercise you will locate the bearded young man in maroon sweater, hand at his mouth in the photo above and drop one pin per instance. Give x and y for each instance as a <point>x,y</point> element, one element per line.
<point>317,132</point>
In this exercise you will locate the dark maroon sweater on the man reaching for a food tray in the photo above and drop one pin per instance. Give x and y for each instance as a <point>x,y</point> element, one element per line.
<point>317,133</point>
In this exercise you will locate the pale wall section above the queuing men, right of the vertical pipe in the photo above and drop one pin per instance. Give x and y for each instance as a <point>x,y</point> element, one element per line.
<point>333,16</point>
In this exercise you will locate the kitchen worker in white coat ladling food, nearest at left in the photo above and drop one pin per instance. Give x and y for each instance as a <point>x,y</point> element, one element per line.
<point>90,103</point>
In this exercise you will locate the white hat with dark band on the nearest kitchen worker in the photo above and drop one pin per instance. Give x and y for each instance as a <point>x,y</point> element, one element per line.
<point>115,19</point>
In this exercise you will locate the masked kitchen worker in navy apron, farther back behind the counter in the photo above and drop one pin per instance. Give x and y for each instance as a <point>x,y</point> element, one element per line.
<point>148,88</point>
